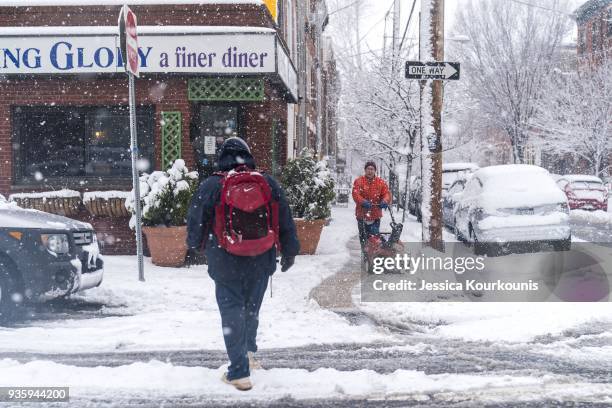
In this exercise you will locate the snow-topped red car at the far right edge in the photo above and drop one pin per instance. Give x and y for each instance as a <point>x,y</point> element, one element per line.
<point>584,192</point>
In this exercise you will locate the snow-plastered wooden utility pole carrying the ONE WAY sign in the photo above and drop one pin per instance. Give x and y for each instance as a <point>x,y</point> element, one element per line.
<point>432,48</point>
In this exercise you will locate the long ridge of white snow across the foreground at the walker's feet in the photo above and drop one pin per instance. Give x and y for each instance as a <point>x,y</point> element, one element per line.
<point>154,380</point>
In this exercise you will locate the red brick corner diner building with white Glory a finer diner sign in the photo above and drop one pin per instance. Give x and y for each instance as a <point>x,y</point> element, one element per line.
<point>209,70</point>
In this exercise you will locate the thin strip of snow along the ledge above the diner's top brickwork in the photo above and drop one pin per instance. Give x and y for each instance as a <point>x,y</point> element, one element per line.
<point>30,3</point>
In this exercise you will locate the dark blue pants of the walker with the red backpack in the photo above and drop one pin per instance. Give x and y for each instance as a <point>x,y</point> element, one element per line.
<point>239,302</point>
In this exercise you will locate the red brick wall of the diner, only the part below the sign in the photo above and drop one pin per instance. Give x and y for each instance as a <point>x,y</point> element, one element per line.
<point>164,93</point>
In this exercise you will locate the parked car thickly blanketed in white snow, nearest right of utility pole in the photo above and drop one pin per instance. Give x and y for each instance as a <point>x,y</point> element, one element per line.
<point>513,203</point>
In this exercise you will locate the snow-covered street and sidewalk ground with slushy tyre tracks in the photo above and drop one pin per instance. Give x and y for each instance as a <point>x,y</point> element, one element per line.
<point>129,343</point>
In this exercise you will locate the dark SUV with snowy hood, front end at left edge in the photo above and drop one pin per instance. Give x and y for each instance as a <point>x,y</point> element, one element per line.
<point>44,256</point>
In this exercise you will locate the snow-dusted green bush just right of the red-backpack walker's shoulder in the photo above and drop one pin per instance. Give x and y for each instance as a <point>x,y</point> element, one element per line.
<point>309,187</point>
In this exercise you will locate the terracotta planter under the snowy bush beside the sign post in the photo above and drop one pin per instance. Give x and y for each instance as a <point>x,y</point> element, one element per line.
<point>168,245</point>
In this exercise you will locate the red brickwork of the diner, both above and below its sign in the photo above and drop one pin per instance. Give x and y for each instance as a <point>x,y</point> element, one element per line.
<point>165,93</point>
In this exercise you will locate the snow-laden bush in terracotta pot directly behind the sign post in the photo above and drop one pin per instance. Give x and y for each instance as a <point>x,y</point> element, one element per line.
<point>165,196</point>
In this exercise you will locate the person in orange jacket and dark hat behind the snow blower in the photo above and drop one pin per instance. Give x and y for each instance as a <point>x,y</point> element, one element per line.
<point>371,194</point>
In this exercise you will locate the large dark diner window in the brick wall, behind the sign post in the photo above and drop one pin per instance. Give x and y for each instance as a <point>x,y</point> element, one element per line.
<point>62,143</point>
